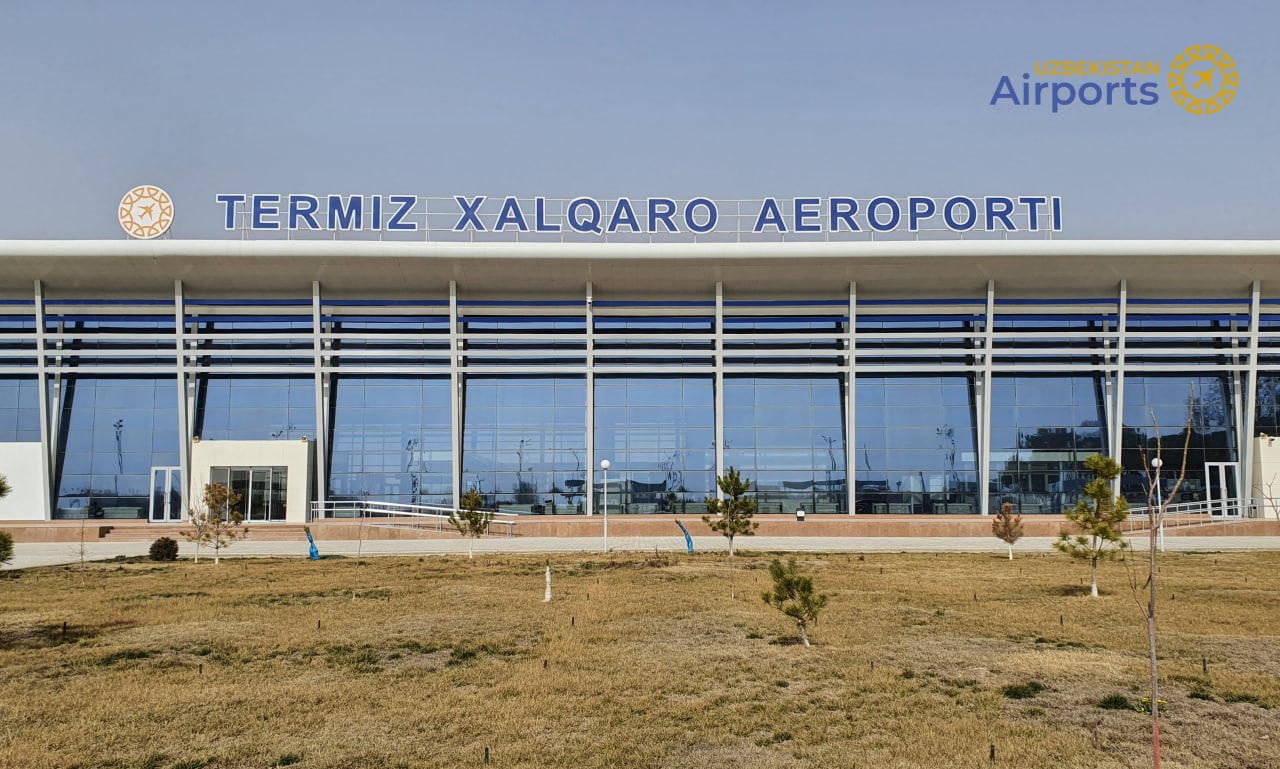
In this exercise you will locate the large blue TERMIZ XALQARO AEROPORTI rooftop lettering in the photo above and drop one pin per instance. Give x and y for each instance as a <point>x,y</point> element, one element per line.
<point>652,217</point>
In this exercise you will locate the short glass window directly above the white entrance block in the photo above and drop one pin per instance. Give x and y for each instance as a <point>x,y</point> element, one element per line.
<point>255,409</point>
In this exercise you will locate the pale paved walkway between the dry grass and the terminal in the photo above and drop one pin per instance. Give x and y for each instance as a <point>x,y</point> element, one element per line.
<point>29,555</point>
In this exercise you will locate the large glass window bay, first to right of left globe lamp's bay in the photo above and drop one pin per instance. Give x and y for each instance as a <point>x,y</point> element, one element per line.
<point>788,436</point>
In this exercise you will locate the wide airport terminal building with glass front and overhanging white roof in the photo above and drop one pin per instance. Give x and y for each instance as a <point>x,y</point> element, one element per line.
<point>843,376</point>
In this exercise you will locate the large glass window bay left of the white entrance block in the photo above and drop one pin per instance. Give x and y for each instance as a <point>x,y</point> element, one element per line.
<point>112,433</point>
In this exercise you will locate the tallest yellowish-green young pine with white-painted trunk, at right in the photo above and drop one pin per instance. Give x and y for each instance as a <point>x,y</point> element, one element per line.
<point>1099,515</point>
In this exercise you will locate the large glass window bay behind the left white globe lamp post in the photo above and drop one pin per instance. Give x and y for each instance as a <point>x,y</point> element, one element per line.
<point>659,436</point>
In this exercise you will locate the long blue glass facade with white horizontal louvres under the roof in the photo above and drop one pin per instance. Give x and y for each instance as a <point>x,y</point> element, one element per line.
<point>936,406</point>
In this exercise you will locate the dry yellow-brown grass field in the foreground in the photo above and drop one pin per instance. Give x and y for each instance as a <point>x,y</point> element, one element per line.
<point>639,662</point>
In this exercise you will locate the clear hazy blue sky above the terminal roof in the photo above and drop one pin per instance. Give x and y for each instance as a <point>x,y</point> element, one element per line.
<point>726,100</point>
